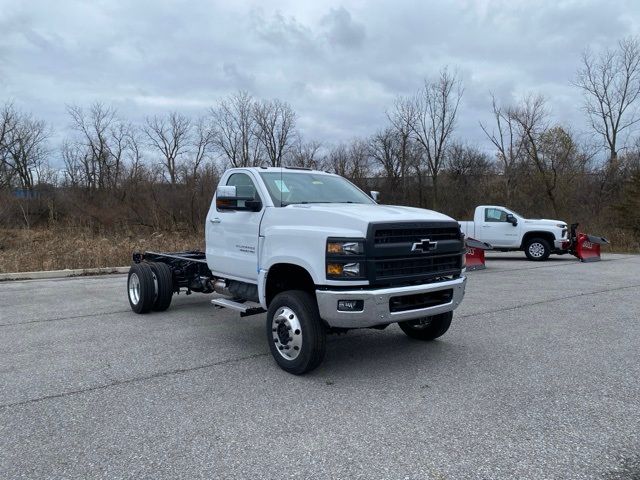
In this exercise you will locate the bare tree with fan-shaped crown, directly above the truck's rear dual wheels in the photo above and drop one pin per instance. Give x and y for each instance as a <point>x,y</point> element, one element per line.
<point>169,136</point>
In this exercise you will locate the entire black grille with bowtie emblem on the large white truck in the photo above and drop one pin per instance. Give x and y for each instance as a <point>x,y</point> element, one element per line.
<point>393,260</point>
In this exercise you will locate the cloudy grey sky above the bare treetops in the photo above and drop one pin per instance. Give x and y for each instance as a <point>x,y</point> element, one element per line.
<point>339,63</point>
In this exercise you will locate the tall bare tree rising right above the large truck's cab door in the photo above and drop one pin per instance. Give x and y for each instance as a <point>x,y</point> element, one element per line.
<point>236,136</point>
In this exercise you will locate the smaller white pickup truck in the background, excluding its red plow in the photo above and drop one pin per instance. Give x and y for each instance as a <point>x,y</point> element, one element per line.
<point>507,230</point>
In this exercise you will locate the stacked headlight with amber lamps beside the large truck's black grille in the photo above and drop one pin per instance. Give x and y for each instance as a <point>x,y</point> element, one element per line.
<point>345,259</point>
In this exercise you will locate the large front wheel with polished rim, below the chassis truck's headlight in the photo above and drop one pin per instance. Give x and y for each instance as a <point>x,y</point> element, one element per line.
<point>295,332</point>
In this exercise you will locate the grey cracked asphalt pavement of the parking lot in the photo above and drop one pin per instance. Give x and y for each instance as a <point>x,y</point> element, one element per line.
<point>538,378</point>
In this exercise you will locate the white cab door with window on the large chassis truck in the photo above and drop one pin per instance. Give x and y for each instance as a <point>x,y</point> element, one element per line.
<point>232,233</point>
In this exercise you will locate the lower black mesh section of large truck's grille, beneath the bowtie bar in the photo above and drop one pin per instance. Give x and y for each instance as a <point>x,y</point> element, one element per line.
<point>409,267</point>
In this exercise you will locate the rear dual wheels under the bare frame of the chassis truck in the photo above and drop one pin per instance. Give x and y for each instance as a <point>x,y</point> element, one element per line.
<point>149,287</point>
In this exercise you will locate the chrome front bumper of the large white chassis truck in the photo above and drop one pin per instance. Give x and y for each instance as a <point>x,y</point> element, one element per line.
<point>376,309</point>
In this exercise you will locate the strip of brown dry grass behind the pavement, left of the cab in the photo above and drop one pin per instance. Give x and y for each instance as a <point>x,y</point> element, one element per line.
<point>24,250</point>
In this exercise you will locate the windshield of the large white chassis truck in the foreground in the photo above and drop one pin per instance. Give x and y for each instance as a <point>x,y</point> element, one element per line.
<point>287,188</point>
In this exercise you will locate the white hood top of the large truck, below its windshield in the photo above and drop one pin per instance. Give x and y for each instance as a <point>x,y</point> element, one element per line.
<point>373,213</point>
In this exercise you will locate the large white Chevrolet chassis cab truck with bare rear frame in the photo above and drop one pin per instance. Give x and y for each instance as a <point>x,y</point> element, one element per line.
<point>316,254</point>
